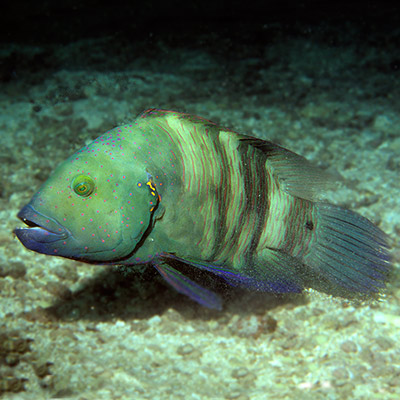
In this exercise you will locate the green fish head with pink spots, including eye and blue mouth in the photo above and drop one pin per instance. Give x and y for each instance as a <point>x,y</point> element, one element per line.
<point>96,207</point>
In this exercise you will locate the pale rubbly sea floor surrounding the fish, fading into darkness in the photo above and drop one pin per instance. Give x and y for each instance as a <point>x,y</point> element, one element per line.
<point>77,331</point>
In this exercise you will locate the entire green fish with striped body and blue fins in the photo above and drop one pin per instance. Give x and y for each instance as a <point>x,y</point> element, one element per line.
<point>172,189</point>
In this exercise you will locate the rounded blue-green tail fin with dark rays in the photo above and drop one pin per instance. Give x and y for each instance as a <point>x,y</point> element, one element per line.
<point>350,255</point>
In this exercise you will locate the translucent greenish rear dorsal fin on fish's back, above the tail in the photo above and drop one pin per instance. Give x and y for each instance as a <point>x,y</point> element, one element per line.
<point>297,176</point>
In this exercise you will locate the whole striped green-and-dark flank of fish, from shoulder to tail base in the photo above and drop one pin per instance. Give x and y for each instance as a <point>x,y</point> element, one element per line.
<point>238,205</point>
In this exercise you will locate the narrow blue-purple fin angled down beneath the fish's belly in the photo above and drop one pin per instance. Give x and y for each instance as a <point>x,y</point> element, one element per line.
<point>186,286</point>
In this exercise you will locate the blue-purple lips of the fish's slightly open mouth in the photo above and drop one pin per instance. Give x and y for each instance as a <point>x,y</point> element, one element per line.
<point>41,232</point>
